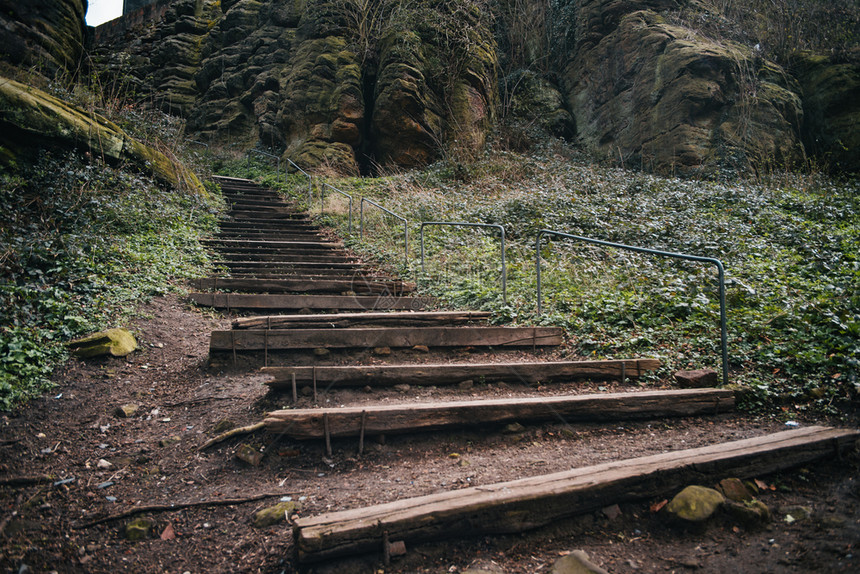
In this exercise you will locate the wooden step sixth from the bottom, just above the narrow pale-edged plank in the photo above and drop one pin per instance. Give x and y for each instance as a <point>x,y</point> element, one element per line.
<point>254,301</point>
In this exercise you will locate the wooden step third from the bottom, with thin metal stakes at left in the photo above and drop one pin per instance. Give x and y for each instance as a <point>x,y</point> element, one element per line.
<point>451,374</point>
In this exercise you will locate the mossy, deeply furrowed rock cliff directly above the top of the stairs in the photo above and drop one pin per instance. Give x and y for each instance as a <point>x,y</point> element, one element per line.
<point>339,83</point>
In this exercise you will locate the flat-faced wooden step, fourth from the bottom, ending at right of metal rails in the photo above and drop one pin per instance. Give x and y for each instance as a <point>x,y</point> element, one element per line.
<point>394,337</point>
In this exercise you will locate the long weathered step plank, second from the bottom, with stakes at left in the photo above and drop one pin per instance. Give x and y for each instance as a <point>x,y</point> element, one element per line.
<point>417,417</point>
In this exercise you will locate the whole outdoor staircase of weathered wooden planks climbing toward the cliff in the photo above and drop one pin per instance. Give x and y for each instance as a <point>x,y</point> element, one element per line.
<point>278,261</point>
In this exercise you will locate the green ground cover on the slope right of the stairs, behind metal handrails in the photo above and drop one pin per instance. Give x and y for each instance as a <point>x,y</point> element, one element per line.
<point>790,247</point>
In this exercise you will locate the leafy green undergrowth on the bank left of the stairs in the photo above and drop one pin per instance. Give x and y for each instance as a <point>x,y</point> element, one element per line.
<point>80,244</point>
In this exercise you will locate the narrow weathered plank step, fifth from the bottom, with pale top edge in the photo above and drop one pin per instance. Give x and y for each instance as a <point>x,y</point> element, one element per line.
<point>348,319</point>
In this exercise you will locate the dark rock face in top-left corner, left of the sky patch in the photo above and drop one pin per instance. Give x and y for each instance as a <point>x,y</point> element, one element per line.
<point>46,36</point>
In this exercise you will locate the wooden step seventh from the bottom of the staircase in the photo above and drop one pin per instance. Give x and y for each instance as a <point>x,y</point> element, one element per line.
<point>301,285</point>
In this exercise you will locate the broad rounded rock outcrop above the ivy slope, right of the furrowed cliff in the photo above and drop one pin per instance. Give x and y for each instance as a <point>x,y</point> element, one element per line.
<point>660,96</point>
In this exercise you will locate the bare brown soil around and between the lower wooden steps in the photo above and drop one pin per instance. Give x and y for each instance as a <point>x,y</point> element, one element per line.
<point>49,526</point>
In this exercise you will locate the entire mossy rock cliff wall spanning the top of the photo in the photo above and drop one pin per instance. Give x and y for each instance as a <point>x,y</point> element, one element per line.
<point>352,83</point>
